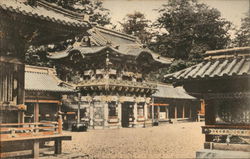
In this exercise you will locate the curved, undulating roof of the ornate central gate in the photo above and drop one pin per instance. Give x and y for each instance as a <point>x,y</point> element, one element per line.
<point>121,43</point>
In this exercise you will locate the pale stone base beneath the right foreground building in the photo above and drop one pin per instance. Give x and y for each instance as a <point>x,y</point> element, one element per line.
<point>207,153</point>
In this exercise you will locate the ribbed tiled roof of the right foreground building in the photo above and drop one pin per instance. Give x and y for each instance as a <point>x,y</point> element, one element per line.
<point>230,66</point>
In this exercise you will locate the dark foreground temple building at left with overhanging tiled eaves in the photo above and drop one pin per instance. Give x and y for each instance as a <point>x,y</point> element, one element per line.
<point>22,25</point>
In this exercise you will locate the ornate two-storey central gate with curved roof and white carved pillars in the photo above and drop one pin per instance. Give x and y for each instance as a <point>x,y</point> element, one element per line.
<point>110,69</point>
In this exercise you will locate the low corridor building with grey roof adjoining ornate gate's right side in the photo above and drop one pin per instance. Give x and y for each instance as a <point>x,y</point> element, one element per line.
<point>173,104</point>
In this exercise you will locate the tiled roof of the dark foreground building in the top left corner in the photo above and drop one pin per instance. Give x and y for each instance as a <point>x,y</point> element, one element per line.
<point>45,11</point>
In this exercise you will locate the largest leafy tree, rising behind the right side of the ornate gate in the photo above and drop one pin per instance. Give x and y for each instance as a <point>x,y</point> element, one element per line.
<point>191,29</point>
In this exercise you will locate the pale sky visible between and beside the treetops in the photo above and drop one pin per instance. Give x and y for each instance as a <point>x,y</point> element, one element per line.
<point>232,10</point>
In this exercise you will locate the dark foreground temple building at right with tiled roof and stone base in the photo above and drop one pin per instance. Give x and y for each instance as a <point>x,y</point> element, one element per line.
<point>222,80</point>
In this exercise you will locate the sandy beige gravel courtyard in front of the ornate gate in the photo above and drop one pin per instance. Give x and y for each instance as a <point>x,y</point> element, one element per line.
<point>179,140</point>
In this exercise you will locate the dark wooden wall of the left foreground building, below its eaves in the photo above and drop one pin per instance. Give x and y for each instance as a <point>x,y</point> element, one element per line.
<point>11,88</point>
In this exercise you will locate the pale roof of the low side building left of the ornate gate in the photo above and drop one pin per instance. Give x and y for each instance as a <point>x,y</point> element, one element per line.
<point>42,79</point>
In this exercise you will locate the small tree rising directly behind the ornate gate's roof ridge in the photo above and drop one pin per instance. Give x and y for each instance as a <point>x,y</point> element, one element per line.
<point>136,24</point>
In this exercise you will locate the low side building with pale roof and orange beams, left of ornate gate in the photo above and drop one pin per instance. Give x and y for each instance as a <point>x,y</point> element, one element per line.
<point>44,93</point>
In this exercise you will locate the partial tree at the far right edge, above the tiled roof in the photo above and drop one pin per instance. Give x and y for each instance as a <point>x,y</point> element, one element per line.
<point>242,37</point>
